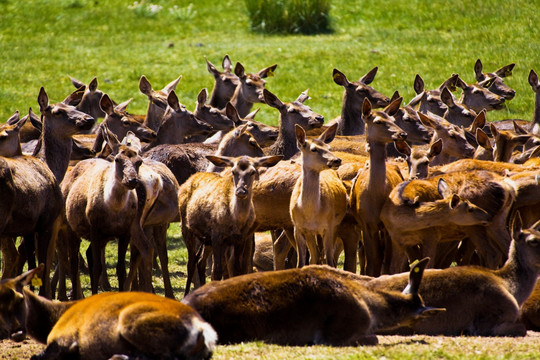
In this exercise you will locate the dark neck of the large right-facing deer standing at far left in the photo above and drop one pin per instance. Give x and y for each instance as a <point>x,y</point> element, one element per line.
<point>55,151</point>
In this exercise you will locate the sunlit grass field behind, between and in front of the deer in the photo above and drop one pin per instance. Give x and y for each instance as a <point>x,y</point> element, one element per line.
<point>42,42</point>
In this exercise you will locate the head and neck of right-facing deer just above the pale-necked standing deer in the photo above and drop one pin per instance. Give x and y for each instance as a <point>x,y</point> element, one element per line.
<point>290,114</point>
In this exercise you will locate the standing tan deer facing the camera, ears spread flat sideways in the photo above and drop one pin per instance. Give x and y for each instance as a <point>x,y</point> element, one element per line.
<point>217,210</point>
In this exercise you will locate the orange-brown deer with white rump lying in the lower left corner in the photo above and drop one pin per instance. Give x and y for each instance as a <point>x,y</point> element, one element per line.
<point>75,328</point>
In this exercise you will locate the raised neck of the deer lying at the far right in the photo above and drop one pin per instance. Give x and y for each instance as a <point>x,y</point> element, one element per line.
<point>519,275</point>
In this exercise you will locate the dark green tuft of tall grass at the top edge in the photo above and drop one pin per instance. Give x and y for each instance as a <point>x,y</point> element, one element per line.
<point>289,16</point>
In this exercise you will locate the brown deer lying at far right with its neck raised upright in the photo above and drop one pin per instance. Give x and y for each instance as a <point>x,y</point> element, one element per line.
<point>489,300</point>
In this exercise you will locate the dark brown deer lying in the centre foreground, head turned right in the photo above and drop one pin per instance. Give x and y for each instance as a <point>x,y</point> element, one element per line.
<point>278,306</point>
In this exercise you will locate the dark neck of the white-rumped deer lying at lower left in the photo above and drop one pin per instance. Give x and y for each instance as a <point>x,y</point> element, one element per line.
<point>42,314</point>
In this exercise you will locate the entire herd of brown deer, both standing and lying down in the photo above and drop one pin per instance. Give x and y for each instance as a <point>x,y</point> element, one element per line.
<point>437,208</point>
